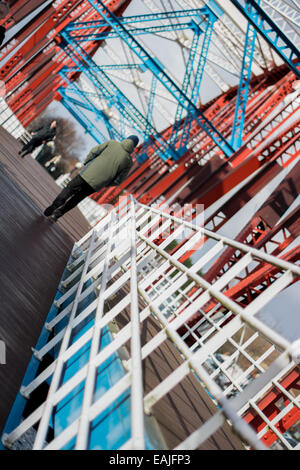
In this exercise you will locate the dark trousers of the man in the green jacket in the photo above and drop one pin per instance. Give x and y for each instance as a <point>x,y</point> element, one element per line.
<point>75,191</point>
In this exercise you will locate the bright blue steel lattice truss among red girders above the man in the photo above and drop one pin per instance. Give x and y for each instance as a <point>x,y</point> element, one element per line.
<point>128,28</point>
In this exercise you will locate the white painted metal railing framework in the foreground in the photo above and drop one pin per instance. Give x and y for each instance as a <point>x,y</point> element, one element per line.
<point>119,254</point>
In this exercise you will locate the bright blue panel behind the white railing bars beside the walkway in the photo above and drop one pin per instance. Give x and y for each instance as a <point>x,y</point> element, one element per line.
<point>111,429</point>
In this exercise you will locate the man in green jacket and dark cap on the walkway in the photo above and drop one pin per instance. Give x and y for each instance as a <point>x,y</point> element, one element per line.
<point>107,164</point>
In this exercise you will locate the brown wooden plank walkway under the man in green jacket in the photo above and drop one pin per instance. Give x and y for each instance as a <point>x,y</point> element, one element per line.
<point>33,255</point>
